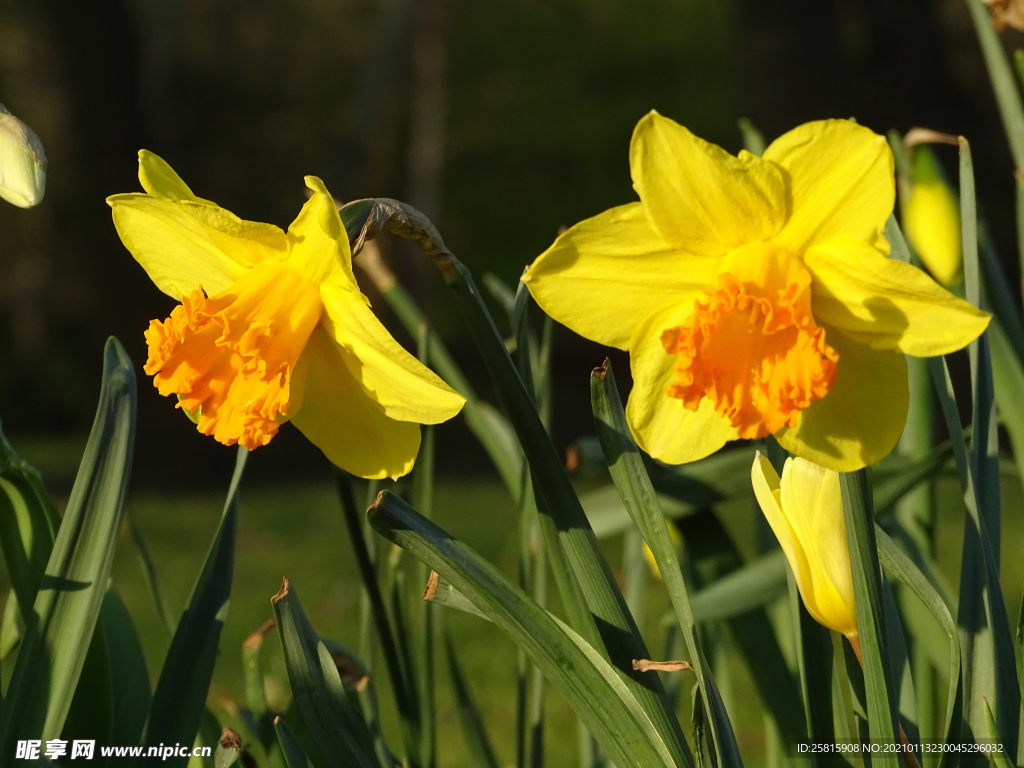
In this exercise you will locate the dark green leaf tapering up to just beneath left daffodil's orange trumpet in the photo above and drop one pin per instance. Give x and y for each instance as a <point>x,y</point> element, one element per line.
<point>180,699</point>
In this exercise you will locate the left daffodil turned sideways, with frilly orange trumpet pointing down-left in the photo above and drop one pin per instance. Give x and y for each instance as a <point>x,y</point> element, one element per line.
<point>273,327</point>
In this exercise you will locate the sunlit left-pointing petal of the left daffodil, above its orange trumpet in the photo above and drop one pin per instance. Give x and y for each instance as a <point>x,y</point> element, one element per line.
<point>177,250</point>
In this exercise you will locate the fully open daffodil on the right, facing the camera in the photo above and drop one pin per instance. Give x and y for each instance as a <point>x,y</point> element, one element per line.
<point>754,294</point>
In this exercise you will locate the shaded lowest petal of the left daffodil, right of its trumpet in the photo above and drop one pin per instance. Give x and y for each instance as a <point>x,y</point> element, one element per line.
<point>343,421</point>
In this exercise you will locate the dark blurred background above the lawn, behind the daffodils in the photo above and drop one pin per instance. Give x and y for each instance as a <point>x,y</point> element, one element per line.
<point>502,120</point>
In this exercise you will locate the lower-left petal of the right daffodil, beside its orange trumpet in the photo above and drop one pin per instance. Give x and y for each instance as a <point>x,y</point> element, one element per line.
<point>662,425</point>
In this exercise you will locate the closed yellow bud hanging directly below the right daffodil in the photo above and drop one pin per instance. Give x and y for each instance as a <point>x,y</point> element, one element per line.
<point>805,511</point>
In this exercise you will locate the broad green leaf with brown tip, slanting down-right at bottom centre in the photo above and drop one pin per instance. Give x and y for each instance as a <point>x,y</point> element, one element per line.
<point>613,721</point>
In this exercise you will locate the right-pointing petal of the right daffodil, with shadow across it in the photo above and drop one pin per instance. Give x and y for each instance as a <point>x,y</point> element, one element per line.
<point>888,305</point>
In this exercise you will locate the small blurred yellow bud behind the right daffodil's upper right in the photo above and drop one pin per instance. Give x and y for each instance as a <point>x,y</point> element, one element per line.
<point>931,220</point>
